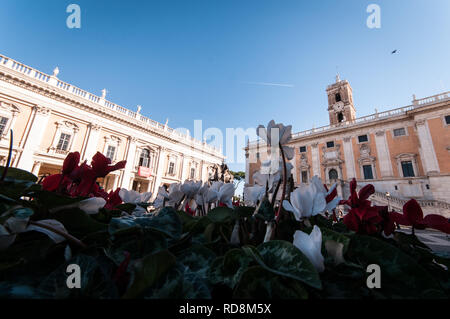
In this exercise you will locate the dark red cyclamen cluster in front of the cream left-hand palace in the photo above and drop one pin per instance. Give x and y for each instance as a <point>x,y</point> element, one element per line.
<point>80,180</point>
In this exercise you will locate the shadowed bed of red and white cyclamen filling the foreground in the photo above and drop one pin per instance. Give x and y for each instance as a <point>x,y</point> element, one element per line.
<point>199,244</point>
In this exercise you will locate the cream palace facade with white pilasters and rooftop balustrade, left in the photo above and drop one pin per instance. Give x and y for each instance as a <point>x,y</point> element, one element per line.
<point>51,118</point>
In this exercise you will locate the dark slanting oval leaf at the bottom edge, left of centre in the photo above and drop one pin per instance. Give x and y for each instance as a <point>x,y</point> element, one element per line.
<point>147,272</point>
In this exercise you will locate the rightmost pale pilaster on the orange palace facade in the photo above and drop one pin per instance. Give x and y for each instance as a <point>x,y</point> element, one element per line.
<point>426,149</point>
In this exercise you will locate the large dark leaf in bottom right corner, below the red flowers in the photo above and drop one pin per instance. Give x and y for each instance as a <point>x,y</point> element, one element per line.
<point>401,276</point>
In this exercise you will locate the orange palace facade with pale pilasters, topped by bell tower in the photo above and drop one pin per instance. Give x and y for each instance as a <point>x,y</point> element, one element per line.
<point>404,152</point>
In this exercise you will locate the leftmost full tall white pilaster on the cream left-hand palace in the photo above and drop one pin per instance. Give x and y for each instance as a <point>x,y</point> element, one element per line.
<point>33,140</point>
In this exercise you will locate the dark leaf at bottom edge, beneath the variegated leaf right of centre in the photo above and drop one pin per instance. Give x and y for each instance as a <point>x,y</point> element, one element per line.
<point>258,283</point>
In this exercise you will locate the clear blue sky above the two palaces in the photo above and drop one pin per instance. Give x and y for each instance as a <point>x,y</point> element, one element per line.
<point>200,59</point>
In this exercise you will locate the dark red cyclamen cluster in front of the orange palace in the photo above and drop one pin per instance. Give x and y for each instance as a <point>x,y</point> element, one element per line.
<point>367,219</point>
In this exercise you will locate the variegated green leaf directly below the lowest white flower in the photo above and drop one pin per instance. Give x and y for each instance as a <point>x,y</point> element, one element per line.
<point>283,258</point>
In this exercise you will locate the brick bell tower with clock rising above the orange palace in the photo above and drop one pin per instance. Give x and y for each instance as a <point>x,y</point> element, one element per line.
<point>340,102</point>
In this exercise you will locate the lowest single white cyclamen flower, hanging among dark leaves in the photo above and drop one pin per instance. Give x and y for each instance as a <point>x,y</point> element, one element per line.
<point>311,245</point>
